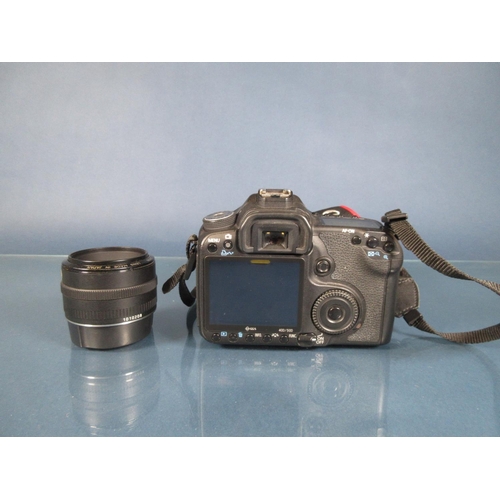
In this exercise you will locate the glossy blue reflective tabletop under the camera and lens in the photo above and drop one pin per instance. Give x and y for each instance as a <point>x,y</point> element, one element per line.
<point>173,383</point>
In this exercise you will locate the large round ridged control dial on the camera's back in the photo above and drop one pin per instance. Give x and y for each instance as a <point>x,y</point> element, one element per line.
<point>336,311</point>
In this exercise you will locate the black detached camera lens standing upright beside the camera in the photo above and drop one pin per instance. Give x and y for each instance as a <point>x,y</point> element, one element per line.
<point>109,296</point>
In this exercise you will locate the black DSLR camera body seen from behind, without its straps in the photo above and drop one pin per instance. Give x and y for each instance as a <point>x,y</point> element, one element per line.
<point>273,273</point>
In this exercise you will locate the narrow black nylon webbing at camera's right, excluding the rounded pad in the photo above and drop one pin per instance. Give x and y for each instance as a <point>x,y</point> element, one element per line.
<point>397,222</point>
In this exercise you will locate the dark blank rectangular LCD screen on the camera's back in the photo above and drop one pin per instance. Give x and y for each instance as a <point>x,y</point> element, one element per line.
<point>256,292</point>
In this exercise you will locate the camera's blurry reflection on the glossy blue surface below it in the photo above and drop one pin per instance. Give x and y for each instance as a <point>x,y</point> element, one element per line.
<point>293,393</point>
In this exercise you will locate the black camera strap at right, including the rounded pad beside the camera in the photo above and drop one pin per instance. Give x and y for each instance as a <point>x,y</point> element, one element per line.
<point>407,297</point>
